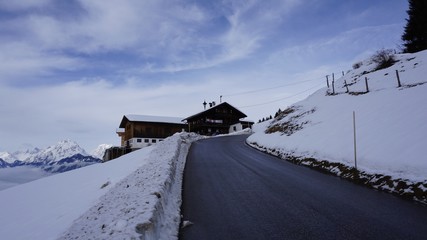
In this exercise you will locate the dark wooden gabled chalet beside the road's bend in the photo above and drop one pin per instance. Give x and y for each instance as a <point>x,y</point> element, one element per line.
<point>218,119</point>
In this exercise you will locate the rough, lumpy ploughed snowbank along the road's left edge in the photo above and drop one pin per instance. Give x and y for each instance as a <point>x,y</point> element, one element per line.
<point>146,204</point>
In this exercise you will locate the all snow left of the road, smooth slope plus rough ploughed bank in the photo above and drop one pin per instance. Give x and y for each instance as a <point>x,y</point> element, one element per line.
<point>136,195</point>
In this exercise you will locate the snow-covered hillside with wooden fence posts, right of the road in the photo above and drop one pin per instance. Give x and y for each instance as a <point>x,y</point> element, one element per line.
<point>391,124</point>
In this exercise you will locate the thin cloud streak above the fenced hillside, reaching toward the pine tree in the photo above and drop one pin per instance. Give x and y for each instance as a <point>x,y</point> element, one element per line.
<point>340,49</point>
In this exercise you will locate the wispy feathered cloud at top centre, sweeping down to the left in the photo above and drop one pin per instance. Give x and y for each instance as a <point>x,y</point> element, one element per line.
<point>246,25</point>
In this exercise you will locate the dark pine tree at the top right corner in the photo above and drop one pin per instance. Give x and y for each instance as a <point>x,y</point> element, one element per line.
<point>415,35</point>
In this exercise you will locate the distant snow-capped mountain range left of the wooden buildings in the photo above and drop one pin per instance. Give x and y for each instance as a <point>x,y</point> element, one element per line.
<point>63,156</point>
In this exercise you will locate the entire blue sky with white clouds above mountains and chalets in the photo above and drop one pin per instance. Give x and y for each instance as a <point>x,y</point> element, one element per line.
<point>72,69</point>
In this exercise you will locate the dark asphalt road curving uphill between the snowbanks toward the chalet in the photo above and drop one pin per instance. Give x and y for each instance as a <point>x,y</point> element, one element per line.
<point>232,191</point>
